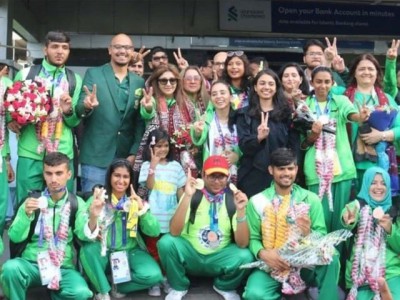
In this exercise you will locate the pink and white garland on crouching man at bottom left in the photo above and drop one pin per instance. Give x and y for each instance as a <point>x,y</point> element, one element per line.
<point>56,244</point>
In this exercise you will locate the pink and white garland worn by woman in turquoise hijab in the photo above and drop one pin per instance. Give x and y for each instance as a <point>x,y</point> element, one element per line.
<point>369,256</point>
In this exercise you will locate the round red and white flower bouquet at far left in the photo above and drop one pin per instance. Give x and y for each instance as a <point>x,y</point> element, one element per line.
<point>27,102</point>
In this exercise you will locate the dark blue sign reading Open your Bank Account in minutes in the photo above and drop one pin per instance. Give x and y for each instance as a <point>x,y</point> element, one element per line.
<point>330,19</point>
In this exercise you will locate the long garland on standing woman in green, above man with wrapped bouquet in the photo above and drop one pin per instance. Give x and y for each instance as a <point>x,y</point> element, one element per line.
<point>324,162</point>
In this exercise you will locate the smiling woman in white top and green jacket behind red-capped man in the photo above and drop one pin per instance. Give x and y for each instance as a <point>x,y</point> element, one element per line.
<point>217,133</point>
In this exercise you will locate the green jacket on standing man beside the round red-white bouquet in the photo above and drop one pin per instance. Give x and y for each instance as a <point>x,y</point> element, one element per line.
<point>28,142</point>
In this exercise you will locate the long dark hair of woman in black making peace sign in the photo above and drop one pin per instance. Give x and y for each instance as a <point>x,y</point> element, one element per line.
<point>281,109</point>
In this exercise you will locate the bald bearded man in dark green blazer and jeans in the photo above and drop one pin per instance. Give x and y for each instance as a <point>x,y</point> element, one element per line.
<point>109,106</point>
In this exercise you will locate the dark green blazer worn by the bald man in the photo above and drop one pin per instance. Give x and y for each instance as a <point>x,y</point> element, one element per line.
<point>108,132</point>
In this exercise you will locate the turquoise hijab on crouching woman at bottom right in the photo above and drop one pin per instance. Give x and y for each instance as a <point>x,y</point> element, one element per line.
<point>369,176</point>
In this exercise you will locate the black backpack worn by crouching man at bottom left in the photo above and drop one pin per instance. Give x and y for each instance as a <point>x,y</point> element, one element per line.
<point>16,249</point>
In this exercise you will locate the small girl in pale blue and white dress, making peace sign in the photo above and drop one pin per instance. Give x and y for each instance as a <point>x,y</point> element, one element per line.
<point>165,179</point>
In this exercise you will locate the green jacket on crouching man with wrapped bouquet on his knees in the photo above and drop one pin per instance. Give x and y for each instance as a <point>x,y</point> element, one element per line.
<point>256,206</point>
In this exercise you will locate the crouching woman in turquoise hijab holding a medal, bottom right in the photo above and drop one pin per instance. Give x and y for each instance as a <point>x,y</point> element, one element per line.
<point>376,246</point>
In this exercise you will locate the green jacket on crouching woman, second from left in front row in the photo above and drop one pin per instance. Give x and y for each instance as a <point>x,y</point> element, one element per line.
<point>148,224</point>
